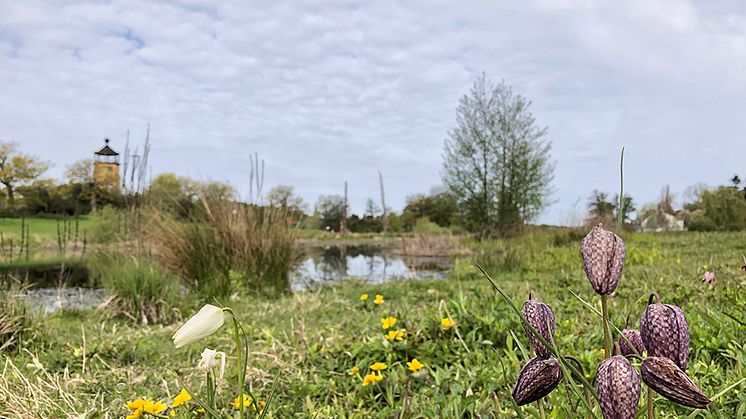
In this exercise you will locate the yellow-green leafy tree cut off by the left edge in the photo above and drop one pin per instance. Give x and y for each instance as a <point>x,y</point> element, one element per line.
<point>17,168</point>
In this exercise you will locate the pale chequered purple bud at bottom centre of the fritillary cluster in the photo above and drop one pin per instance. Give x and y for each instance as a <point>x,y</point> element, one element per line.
<point>618,387</point>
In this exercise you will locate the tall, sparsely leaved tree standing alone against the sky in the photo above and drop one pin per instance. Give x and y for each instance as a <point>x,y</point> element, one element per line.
<point>496,161</point>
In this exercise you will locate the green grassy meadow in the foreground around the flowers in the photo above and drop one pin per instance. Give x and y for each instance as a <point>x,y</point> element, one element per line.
<point>305,344</point>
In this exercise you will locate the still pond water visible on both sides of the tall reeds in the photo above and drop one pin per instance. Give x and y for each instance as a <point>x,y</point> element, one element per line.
<point>317,266</point>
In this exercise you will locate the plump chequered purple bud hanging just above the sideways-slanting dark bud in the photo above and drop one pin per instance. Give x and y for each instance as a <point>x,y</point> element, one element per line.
<point>664,332</point>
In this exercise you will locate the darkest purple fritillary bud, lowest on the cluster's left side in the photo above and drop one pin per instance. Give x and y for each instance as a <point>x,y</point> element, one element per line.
<point>537,379</point>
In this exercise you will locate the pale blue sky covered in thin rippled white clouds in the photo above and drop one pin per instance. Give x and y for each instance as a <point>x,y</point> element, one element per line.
<point>334,91</point>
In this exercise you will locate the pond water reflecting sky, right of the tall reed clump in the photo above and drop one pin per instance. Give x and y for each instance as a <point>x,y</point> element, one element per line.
<point>323,265</point>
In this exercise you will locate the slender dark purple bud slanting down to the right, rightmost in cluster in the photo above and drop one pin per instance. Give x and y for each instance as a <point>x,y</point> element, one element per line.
<point>667,379</point>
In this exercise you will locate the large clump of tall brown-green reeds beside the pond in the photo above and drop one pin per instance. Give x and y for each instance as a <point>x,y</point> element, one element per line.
<point>231,244</point>
